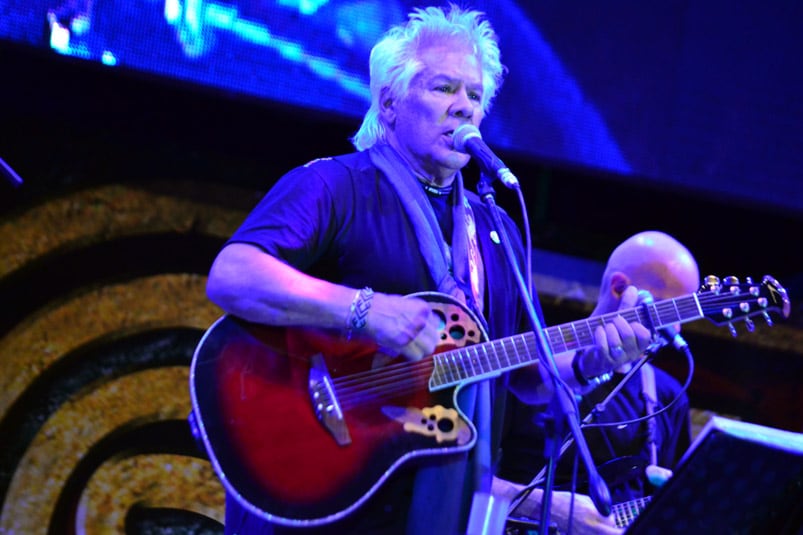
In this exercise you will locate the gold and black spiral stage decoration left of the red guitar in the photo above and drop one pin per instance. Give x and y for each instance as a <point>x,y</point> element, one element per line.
<point>103,293</point>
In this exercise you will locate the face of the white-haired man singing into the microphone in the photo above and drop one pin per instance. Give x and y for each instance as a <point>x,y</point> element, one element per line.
<point>443,96</point>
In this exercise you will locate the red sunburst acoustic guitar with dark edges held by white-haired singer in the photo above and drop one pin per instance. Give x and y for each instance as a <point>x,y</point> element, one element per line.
<point>302,430</point>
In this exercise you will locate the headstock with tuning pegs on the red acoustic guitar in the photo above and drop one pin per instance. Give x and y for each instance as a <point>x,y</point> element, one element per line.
<point>728,300</point>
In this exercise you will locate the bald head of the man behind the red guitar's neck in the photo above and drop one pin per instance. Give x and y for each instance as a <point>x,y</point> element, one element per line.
<point>652,261</point>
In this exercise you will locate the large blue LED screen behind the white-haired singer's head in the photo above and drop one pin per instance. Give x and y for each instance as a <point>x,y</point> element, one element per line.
<point>693,95</point>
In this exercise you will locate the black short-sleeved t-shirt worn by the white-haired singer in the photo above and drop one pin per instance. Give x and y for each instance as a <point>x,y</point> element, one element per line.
<point>341,220</point>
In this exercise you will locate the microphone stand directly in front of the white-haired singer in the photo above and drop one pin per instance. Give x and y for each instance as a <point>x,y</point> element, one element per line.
<point>561,400</point>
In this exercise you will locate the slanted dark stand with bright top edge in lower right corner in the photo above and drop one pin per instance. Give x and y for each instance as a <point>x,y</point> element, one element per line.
<point>736,478</point>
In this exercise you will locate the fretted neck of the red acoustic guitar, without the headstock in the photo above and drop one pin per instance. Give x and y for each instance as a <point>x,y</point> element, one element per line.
<point>480,361</point>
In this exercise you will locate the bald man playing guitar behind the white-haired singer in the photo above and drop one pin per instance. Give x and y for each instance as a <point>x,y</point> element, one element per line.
<point>652,261</point>
